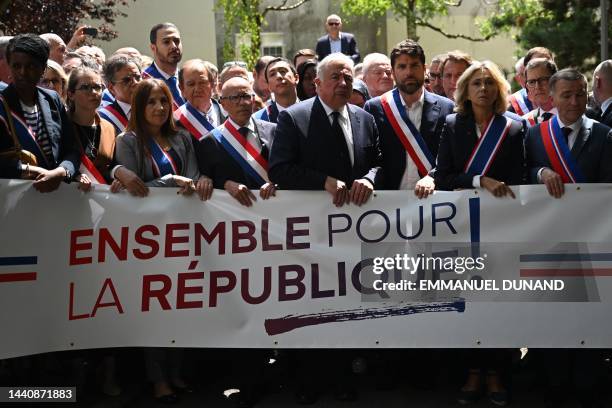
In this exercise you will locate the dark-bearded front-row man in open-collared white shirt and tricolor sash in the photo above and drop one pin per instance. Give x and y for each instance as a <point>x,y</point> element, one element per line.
<point>424,110</point>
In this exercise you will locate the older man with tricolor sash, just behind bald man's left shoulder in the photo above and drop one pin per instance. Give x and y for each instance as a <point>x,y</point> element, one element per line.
<point>200,114</point>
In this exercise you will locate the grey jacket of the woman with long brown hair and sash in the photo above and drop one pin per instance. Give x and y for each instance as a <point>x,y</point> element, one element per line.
<point>128,153</point>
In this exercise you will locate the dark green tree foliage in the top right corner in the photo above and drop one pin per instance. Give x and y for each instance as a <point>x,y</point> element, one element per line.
<point>570,28</point>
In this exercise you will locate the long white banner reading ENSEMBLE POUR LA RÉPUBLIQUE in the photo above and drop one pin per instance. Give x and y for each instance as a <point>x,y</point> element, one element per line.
<point>90,270</point>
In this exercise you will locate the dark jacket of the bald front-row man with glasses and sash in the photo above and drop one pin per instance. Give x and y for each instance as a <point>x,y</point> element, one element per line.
<point>215,162</point>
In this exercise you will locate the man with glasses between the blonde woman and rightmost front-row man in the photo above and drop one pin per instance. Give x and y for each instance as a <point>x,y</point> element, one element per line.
<point>537,75</point>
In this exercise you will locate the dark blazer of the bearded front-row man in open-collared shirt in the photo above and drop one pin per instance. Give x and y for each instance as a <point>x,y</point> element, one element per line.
<point>435,110</point>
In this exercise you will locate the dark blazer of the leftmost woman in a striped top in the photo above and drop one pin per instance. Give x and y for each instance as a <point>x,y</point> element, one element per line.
<point>59,129</point>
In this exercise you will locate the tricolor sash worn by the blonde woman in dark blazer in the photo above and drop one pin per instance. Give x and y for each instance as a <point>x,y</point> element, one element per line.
<point>487,147</point>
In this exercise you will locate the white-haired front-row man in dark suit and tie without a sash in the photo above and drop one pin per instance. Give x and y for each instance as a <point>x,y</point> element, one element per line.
<point>325,143</point>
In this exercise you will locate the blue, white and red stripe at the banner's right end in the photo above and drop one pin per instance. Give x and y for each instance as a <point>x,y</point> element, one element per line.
<point>565,265</point>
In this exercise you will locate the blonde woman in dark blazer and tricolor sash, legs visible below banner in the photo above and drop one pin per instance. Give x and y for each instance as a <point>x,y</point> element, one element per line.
<point>483,149</point>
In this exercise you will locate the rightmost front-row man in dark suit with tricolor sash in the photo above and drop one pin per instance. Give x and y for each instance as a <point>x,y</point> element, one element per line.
<point>589,142</point>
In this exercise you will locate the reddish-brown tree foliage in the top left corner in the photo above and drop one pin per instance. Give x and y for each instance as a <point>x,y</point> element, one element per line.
<point>59,16</point>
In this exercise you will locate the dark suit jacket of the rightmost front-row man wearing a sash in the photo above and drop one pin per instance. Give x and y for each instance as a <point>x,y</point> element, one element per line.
<point>592,152</point>
